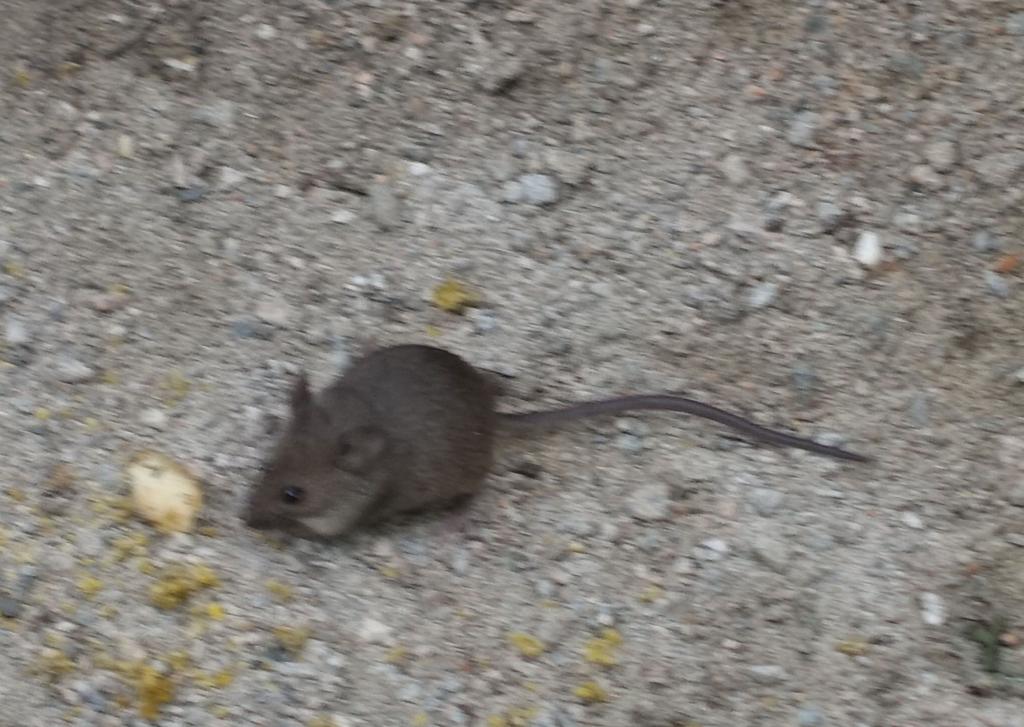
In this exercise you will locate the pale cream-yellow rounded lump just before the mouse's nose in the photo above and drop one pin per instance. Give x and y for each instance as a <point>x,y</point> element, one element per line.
<point>164,492</point>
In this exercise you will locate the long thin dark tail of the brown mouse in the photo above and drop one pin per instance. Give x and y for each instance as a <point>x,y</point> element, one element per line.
<point>669,403</point>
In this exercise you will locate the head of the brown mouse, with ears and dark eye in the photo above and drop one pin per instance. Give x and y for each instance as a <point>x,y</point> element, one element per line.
<point>327,471</point>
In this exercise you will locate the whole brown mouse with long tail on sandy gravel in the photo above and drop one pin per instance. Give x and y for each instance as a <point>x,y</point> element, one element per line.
<point>413,427</point>
